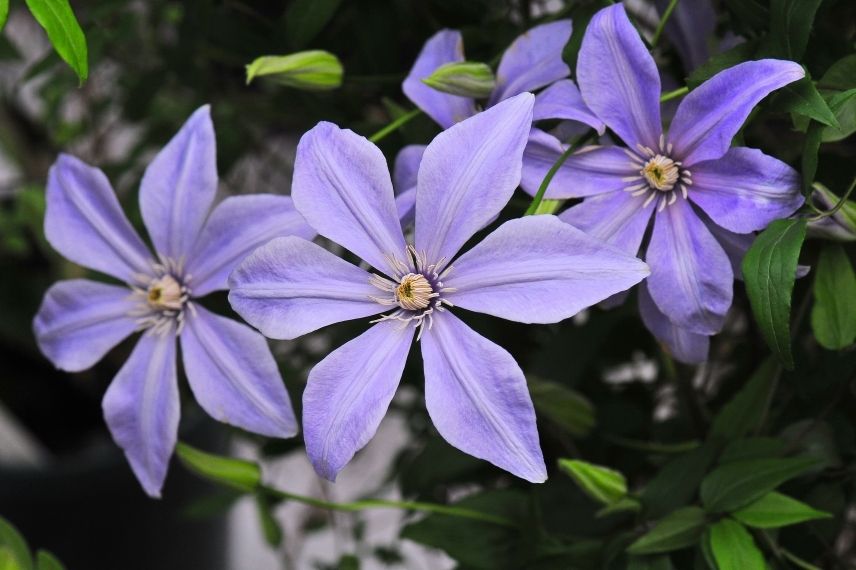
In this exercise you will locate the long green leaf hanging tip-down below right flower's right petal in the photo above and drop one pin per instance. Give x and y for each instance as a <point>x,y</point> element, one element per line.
<point>769,270</point>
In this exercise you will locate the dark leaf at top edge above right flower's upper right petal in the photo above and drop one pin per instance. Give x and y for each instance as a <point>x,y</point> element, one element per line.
<point>790,24</point>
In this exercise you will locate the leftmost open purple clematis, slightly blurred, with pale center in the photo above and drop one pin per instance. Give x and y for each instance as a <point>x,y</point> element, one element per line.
<point>229,366</point>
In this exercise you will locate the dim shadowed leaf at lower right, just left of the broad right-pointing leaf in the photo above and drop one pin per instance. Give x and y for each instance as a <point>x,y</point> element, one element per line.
<point>677,482</point>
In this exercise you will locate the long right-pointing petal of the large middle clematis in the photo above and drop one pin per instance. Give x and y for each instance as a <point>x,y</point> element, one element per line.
<point>538,269</point>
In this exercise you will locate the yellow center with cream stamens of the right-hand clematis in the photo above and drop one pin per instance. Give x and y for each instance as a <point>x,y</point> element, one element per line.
<point>659,174</point>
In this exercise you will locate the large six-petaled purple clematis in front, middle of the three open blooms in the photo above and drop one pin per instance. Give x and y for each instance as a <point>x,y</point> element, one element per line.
<point>533,270</point>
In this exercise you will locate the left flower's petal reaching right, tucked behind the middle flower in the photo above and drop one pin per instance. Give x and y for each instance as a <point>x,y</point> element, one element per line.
<point>236,227</point>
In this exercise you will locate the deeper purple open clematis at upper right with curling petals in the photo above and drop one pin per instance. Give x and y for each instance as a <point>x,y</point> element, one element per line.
<point>704,197</point>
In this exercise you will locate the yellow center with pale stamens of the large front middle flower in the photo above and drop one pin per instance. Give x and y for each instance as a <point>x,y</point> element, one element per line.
<point>415,287</point>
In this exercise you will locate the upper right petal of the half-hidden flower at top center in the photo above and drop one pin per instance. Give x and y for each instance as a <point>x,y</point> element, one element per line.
<point>532,61</point>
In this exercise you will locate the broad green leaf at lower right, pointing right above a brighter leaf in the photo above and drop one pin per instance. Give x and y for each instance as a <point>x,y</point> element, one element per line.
<point>735,485</point>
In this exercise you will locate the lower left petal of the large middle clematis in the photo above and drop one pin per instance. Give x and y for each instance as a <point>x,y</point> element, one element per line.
<point>348,393</point>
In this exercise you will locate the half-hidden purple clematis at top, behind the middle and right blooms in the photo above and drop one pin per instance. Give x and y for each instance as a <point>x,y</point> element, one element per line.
<point>532,61</point>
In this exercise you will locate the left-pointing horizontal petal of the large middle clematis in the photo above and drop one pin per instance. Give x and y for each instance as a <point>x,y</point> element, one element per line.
<point>290,287</point>
